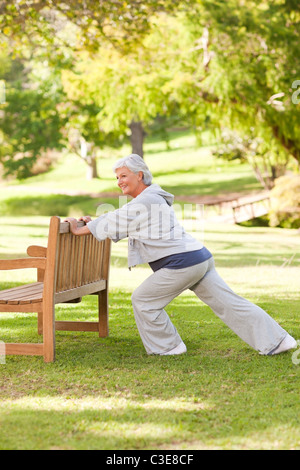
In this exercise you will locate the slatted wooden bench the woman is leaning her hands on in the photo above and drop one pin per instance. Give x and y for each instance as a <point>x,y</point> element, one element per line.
<point>69,268</point>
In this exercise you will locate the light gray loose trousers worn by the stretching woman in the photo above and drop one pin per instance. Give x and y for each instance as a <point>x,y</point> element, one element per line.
<point>252,324</point>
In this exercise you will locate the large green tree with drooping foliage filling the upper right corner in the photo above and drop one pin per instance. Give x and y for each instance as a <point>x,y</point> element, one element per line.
<point>250,60</point>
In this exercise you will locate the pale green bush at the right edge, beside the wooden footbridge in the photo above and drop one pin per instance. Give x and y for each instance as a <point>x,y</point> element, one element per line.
<point>285,202</point>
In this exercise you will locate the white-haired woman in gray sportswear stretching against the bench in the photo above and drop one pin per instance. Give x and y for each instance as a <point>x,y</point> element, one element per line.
<point>179,262</point>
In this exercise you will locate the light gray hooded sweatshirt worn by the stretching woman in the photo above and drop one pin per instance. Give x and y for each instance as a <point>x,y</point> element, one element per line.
<point>150,224</point>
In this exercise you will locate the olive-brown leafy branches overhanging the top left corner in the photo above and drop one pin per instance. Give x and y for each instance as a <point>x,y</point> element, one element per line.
<point>123,23</point>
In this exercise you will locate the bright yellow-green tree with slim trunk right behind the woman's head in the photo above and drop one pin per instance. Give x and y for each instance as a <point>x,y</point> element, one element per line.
<point>132,90</point>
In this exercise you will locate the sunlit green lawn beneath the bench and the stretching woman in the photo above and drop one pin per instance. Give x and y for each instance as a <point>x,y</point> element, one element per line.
<point>108,394</point>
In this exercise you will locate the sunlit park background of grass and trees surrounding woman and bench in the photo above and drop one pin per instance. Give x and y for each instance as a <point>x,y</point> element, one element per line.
<point>208,93</point>
